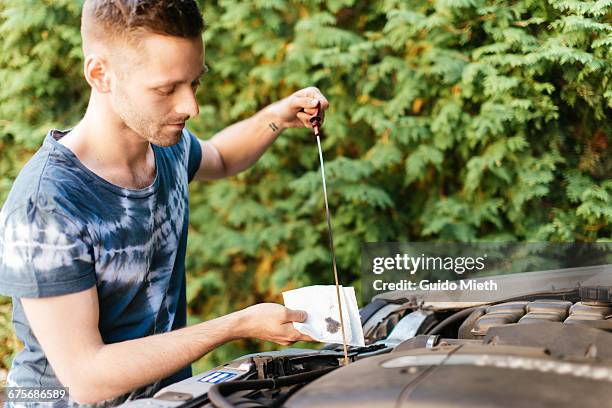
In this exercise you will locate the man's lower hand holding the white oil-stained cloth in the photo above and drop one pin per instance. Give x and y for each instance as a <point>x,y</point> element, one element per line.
<point>273,322</point>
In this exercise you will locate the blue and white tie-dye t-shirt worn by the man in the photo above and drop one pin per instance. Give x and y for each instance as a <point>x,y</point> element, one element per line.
<point>63,229</point>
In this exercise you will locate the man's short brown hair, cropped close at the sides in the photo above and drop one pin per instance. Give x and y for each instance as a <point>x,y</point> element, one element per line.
<point>103,20</point>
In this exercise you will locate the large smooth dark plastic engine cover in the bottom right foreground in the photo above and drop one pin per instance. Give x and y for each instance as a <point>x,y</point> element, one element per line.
<point>461,376</point>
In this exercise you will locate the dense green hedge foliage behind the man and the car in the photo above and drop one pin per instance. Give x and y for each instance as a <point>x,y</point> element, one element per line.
<point>450,120</point>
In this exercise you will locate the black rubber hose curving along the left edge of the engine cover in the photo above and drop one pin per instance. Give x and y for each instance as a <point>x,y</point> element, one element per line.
<point>217,393</point>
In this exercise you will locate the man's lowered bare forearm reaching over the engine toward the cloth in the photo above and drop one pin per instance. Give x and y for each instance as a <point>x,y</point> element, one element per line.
<point>118,368</point>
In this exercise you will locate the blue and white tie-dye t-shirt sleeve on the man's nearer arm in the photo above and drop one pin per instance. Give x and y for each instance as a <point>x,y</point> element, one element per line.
<point>44,253</point>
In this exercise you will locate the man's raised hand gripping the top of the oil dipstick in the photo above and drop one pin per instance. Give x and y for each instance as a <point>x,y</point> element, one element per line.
<point>297,109</point>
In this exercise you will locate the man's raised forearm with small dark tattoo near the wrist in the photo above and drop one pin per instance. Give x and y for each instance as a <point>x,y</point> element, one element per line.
<point>242,144</point>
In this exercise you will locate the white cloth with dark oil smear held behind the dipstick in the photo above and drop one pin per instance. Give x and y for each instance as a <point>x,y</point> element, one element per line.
<point>323,321</point>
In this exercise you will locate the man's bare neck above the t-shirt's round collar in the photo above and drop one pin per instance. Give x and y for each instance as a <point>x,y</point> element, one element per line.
<point>112,151</point>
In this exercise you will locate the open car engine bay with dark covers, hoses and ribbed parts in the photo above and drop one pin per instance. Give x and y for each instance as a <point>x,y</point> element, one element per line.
<point>545,349</point>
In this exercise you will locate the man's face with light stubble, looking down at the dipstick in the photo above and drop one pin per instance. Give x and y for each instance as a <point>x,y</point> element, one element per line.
<point>155,84</point>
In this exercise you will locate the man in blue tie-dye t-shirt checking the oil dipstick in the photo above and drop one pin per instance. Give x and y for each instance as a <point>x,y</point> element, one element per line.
<point>93,233</point>
